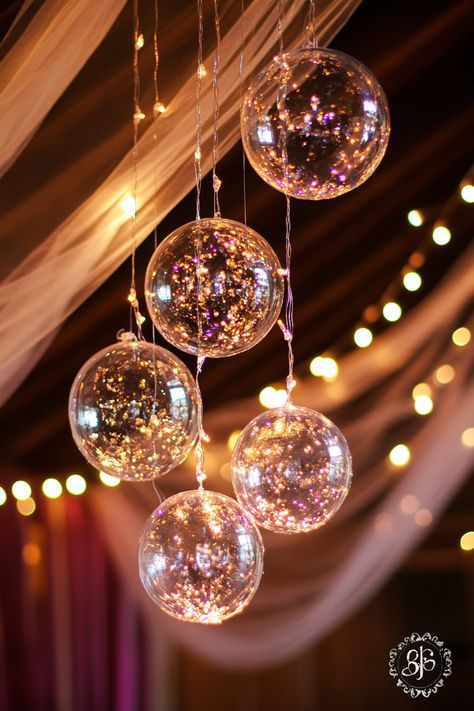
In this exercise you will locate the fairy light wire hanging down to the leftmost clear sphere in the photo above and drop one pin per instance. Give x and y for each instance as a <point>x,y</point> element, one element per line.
<point>138,116</point>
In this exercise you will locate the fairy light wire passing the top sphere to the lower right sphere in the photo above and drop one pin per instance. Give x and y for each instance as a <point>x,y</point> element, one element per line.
<point>287,326</point>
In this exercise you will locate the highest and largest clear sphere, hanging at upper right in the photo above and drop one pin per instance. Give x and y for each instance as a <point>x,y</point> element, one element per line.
<point>333,113</point>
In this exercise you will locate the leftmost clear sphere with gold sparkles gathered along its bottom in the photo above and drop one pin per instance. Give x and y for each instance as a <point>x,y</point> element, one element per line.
<point>132,410</point>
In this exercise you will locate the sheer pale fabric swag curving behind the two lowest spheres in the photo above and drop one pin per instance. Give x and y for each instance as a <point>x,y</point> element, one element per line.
<point>314,581</point>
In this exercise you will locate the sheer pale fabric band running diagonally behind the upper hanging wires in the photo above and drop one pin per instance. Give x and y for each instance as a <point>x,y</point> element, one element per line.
<point>55,278</point>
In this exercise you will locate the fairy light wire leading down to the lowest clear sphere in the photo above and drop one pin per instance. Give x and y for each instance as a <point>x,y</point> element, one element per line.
<point>201,434</point>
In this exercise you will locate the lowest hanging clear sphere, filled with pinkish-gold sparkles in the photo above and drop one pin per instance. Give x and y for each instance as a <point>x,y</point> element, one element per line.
<point>200,557</point>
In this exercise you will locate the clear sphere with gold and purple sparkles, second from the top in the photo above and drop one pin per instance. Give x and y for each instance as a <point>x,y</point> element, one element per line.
<point>240,290</point>
